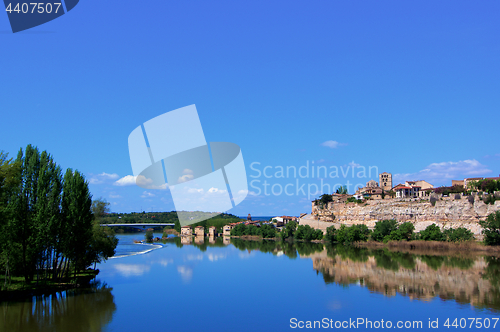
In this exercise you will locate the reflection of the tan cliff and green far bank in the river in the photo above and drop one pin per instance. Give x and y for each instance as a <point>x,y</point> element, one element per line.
<point>471,280</point>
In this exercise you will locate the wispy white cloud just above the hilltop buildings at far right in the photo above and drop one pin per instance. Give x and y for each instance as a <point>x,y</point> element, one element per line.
<point>444,172</point>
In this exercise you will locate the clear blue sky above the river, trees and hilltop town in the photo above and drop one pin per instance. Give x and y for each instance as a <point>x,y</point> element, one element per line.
<point>408,87</point>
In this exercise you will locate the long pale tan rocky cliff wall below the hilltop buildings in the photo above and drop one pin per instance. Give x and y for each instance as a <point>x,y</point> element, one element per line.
<point>447,212</point>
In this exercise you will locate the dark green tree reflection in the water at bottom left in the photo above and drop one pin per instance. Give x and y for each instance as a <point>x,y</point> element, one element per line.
<point>73,310</point>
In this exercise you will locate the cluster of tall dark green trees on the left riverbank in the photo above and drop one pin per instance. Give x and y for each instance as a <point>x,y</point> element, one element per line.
<point>47,223</point>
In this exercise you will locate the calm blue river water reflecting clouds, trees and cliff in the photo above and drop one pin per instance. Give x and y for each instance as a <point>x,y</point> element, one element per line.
<point>260,286</point>
